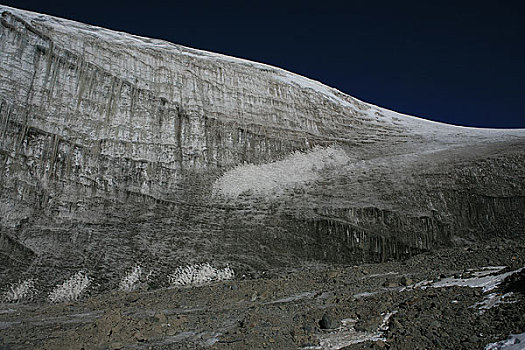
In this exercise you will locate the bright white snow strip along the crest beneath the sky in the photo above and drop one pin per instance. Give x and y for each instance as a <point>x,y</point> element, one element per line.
<point>63,29</point>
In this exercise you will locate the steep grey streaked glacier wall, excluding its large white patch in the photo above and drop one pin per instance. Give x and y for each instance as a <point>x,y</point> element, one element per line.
<point>111,144</point>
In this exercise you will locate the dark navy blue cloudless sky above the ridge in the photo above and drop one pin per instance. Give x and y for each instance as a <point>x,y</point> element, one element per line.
<point>458,63</point>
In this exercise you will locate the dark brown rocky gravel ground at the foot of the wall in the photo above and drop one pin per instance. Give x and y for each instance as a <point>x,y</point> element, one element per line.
<point>389,305</point>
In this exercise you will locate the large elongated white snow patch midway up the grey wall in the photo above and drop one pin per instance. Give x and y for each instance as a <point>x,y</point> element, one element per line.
<point>298,168</point>
